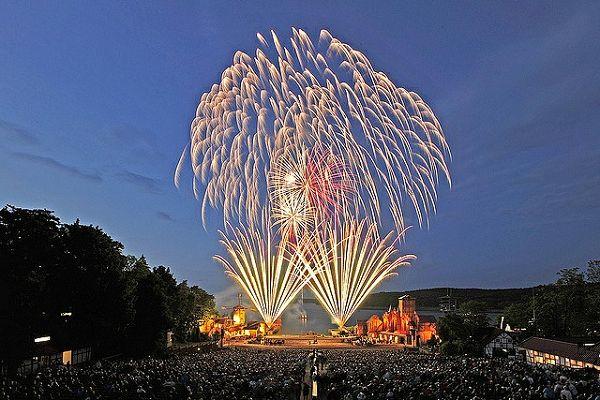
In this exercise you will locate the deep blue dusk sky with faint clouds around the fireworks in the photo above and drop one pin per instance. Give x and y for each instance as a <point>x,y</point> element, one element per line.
<point>96,100</point>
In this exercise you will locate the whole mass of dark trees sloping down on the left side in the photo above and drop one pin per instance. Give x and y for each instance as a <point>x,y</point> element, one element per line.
<point>73,282</point>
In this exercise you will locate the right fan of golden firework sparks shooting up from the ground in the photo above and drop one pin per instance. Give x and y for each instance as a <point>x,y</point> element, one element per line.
<point>350,262</point>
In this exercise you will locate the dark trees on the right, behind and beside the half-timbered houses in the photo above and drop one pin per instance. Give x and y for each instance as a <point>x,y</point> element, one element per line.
<point>568,309</point>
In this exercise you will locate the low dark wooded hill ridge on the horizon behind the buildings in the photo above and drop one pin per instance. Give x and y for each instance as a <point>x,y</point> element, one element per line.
<point>495,299</point>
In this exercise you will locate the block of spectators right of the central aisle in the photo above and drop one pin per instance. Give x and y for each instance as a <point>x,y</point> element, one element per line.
<point>394,374</point>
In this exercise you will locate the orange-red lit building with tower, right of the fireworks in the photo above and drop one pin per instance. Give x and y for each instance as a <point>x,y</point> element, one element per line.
<point>400,325</point>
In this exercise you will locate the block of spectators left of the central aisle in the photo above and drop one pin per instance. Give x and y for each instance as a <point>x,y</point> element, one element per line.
<point>230,373</point>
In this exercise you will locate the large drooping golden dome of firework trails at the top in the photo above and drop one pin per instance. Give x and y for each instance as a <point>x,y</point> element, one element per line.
<point>299,98</point>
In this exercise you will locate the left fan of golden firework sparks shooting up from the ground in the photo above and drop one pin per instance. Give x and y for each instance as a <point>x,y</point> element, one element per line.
<point>270,273</point>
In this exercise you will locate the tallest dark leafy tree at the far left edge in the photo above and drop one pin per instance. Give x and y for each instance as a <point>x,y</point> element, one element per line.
<point>30,249</point>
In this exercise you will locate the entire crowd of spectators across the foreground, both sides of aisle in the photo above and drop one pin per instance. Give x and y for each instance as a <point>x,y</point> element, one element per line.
<point>345,374</point>
